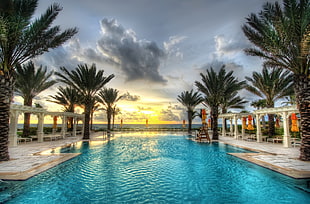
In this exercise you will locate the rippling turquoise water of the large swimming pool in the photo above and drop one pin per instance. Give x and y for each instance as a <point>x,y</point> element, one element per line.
<point>155,168</point>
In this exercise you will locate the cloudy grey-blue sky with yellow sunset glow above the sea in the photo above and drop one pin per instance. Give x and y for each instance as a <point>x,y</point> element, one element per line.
<point>155,49</point>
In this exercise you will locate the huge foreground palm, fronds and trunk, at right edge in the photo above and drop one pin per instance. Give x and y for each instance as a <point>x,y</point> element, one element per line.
<point>281,35</point>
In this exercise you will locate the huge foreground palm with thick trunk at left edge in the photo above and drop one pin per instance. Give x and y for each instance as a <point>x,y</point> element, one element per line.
<point>22,38</point>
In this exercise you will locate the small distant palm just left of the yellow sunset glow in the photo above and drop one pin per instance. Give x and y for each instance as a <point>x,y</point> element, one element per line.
<point>108,97</point>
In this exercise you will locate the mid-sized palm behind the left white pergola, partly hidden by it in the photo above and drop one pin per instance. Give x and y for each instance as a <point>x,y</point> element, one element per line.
<point>29,83</point>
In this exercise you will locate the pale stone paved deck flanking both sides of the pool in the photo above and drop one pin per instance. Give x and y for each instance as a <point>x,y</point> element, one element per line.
<point>28,160</point>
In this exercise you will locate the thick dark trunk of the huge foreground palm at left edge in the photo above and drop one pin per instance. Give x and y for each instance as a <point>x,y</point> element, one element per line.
<point>6,93</point>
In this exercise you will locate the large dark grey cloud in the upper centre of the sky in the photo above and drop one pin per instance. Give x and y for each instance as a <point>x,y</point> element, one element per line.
<point>138,59</point>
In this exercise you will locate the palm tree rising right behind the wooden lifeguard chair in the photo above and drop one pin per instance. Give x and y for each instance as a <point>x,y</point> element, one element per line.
<point>216,88</point>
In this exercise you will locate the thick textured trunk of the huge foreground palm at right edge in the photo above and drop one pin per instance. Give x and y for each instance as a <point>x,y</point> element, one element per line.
<point>302,90</point>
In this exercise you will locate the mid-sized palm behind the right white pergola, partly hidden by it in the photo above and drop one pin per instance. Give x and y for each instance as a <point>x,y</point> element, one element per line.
<point>271,86</point>
